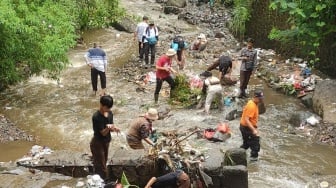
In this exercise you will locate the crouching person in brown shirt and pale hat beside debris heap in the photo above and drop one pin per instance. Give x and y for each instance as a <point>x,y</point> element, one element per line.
<point>140,129</point>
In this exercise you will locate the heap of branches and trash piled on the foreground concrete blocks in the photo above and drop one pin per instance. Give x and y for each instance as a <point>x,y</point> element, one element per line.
<point>176,153</point>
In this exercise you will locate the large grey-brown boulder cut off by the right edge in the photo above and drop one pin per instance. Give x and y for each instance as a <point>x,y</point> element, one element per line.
<point>324,100</point>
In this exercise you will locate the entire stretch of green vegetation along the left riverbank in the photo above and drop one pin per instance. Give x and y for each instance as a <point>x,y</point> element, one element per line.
<point>35,35</point>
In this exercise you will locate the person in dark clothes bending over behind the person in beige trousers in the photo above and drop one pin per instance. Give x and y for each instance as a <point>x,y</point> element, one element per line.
<point>224,64</point>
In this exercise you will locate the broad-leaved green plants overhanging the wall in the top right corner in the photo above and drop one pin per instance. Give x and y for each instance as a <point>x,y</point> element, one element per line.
<point>310,23</point>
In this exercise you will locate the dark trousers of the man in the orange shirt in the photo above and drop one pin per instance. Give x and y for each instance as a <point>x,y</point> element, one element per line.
<point>250,141</point>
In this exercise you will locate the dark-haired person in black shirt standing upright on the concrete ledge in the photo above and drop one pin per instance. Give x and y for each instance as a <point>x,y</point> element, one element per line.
<point>102,123</point>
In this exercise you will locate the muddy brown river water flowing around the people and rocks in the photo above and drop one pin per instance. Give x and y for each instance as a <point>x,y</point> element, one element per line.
<point>59,115</point>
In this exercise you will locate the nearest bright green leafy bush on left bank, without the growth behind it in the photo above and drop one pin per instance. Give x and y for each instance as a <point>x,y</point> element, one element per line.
<point>35,36</point>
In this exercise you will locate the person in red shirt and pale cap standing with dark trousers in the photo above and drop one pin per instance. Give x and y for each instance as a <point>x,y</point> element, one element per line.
<point>163,72</point>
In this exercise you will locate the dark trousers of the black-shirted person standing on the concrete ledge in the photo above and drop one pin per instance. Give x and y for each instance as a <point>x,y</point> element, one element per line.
<point>99,150</point>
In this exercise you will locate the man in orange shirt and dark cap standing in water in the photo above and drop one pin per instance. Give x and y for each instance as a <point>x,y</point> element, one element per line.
<point>249,127</point>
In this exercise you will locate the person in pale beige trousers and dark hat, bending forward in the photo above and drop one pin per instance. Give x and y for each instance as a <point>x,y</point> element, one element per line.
<point>212,88</point>
